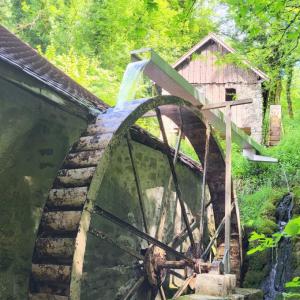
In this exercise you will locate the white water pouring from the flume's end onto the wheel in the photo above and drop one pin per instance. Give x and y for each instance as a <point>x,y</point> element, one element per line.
<point>130,81</point>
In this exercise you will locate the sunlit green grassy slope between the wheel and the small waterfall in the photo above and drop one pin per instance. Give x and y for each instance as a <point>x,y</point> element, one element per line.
<point>261,185</point>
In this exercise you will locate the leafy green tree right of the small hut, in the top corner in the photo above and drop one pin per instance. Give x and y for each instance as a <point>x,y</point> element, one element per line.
<point>269,31</point>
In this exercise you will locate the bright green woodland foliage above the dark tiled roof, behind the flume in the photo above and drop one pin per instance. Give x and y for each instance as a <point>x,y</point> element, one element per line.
<point>99,35</point>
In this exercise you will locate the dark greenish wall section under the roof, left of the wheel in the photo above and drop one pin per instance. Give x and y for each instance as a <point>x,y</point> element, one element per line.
<point>34,139</point>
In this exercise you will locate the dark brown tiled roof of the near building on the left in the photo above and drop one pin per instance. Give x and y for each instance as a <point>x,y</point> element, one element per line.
<point>19,54</point>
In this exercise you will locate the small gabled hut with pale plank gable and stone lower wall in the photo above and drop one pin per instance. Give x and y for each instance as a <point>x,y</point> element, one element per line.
<point>203,67</point>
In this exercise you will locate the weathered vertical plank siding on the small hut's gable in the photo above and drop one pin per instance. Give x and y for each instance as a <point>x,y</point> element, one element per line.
<point>202,68</point>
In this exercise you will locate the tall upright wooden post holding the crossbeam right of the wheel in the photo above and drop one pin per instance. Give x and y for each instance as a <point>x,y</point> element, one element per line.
<point>227,189</point>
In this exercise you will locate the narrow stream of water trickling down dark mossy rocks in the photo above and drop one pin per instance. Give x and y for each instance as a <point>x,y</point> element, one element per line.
<point>281,265</point>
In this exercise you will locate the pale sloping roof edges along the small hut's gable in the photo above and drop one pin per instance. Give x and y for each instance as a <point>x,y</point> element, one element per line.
<point>218,40</point>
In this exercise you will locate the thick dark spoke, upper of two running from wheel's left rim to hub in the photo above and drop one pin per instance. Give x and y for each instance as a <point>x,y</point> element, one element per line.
<point>114,219</point>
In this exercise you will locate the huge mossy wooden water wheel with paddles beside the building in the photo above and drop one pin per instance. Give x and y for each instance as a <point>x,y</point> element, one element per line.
<point>93,242</point>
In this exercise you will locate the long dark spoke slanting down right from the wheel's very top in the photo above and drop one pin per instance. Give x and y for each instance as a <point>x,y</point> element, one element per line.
<point>175,179</point>
